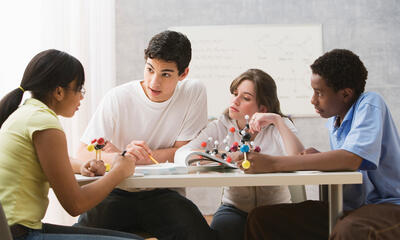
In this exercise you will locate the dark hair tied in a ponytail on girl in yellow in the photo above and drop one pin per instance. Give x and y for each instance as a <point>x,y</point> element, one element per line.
<point>45,72</point>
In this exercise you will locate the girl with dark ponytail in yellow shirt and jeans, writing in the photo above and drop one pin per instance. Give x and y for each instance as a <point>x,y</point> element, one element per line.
<point>34,156</point>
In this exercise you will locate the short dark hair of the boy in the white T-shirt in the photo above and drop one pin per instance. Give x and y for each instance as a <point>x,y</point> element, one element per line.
<point>170,46</point>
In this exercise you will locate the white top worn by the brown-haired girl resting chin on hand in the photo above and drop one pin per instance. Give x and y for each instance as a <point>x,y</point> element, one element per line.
<point>270,142</point>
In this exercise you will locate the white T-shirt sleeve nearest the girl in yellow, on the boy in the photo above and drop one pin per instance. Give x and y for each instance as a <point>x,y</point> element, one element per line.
<point>103,120</point>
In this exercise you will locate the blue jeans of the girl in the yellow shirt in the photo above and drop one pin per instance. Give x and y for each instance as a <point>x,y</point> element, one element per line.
<point>57,232</point>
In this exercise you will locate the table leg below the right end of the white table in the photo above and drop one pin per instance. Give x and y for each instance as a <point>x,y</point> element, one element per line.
<point>335,194</point>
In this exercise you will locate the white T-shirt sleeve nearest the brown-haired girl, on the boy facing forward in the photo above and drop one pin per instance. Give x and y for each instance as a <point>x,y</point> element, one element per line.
<point>196,116</point>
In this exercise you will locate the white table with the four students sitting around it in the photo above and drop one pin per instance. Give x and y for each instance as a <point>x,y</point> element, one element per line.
<point>334,180</point>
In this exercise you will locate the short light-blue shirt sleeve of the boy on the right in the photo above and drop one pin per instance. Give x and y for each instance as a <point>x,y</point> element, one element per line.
<point>365,136</point>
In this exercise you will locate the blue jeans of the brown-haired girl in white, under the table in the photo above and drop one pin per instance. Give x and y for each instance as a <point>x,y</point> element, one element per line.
<point>229,222</point>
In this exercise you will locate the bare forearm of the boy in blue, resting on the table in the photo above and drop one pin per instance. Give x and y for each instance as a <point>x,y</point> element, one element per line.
<point>335,160</point>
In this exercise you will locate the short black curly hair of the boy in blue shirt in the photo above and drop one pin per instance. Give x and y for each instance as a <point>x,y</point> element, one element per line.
<point>341,69</point>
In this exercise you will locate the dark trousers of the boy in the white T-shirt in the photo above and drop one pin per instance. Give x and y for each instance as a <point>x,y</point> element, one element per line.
<point>162,213</point>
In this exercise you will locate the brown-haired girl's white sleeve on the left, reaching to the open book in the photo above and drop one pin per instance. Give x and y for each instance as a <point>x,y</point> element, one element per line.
<point>210,131</point>
